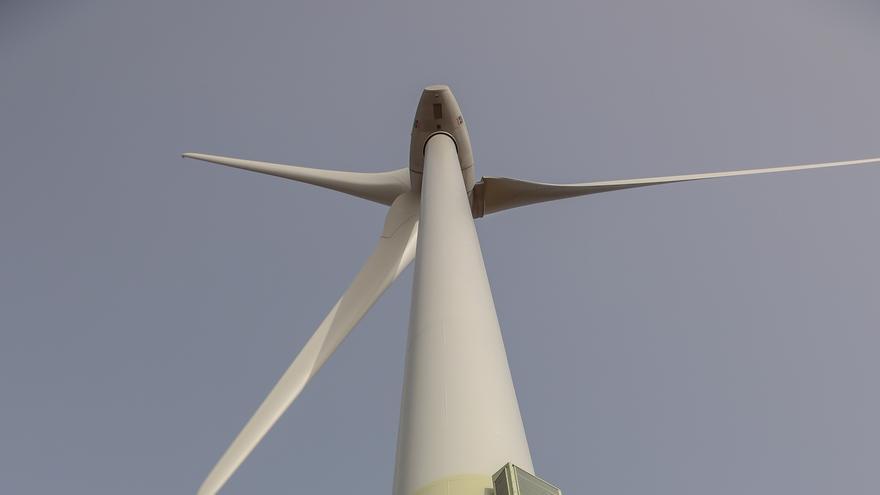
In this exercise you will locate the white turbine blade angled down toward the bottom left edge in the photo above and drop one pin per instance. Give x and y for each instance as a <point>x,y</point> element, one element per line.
<point>395,251</point>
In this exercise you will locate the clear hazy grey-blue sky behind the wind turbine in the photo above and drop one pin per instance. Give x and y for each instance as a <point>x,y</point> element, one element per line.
<point>717,337</point>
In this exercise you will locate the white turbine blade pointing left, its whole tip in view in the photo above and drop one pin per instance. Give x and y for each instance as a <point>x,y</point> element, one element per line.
<point>381,187</point>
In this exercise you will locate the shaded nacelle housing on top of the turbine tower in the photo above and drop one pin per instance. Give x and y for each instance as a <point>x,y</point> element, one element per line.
<point>438,112</point>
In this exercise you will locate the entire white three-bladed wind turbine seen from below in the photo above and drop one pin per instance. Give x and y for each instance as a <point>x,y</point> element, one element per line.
<point>459,419</point>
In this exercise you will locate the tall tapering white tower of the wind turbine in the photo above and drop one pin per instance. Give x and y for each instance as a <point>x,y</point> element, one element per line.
<point>459,414</point>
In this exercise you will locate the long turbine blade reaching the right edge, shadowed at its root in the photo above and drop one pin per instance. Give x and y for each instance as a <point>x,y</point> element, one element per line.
<point>501,193</point>
